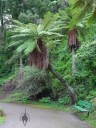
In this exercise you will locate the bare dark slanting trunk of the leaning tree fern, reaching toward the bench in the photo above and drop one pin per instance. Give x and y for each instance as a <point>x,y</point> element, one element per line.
<point>68,87</point>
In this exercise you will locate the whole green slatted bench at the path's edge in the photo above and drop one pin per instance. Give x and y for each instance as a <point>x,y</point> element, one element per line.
<point>83,106</point>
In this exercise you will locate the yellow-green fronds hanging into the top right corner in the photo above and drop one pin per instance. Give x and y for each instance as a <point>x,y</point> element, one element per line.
<point>81,8</point>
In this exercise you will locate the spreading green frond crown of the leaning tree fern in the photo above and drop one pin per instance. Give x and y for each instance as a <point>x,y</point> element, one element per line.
<point>28,34</point>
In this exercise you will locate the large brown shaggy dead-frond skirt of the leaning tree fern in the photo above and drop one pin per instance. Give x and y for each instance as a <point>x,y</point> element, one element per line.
<point>40,58</point>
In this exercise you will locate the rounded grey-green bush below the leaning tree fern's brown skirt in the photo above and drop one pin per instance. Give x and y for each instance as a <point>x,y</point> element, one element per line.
<point>34,81</point>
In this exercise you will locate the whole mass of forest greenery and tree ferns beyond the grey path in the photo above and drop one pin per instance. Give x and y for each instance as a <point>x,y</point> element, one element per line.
<point>48,53</point>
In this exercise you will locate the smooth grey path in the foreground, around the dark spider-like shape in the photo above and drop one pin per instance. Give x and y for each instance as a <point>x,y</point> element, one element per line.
<point>39,118</point>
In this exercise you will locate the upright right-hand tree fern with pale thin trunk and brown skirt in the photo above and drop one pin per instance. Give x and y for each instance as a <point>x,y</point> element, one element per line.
<point>74,32</point>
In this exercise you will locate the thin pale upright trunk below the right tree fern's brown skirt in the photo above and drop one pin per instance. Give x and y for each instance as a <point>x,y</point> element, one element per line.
<point>73,62</point>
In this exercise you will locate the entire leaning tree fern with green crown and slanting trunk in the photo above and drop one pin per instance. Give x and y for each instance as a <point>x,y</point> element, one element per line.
<point>33,40</point>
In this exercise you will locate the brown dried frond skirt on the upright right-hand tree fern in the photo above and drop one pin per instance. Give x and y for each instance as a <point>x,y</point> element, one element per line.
<point>72,40</point>
